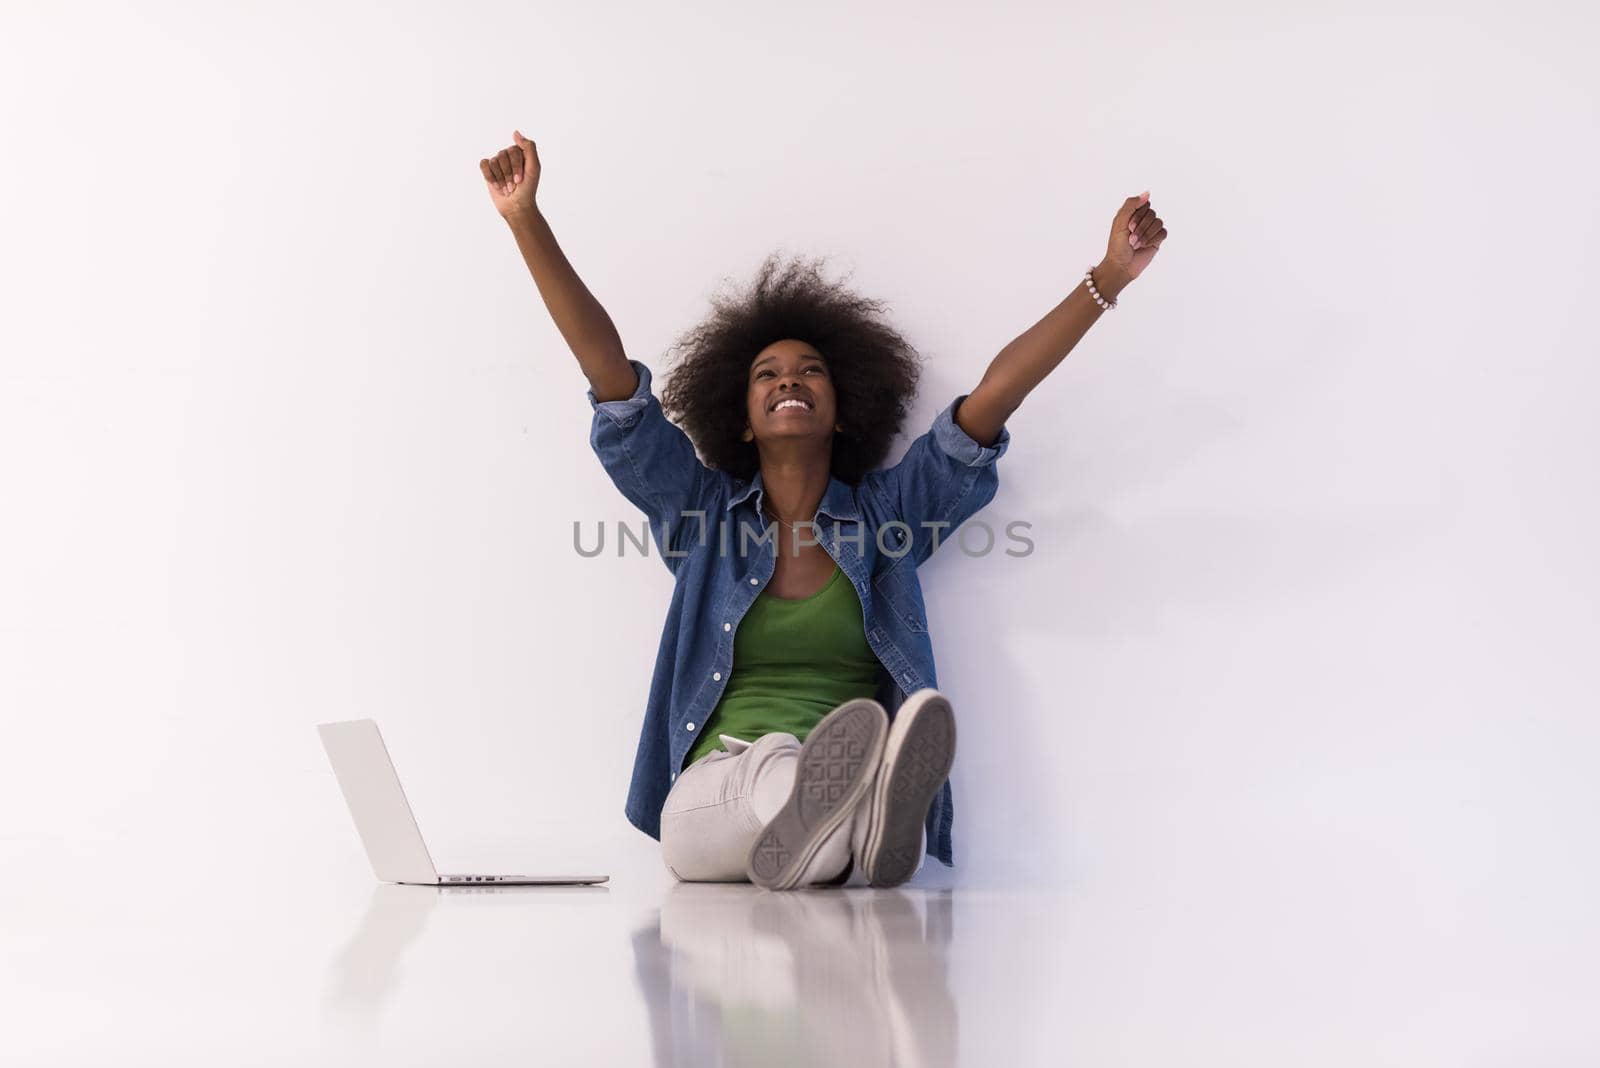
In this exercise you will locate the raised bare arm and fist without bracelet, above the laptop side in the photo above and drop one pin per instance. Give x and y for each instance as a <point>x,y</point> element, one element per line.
<point>513,178</point>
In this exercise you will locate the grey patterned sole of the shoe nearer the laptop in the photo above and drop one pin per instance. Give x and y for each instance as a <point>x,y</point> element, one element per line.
<point>834,770</point>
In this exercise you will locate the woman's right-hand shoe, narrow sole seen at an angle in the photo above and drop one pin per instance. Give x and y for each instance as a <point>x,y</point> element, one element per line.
<point>918,760</point>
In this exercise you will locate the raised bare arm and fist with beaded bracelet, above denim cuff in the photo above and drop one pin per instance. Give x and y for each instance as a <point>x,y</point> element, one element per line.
<point>1135,237</point>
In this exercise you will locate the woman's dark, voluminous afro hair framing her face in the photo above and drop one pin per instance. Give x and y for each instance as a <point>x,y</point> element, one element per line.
<point>873,367</point>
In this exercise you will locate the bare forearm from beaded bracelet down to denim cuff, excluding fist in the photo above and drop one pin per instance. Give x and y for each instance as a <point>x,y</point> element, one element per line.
<point>1033,356</point>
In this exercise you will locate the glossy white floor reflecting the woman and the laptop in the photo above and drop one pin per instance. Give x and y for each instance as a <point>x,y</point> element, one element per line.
<point>134,968</point>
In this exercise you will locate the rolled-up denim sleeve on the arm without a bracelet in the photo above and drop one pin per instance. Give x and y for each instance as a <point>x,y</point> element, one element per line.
<point>652,463</point>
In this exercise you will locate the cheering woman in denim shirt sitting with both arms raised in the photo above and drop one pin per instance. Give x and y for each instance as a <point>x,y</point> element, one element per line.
<point>794,733</point>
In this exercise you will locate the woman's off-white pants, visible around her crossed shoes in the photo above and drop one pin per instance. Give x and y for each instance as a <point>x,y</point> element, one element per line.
<point>721,803</point>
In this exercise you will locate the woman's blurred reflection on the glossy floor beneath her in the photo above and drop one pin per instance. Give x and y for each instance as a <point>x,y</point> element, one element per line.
<point>735,976</point>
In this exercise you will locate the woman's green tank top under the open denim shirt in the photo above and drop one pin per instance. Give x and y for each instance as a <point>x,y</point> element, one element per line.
<point>794,661</point>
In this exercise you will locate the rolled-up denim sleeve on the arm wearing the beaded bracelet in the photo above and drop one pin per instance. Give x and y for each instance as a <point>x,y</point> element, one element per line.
<point>945,479</point>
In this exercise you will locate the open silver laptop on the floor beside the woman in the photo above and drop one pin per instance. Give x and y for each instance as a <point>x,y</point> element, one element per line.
<point>383,816</point>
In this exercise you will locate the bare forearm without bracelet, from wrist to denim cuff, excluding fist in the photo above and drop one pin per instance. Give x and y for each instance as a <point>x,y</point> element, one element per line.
<point>585,324</point>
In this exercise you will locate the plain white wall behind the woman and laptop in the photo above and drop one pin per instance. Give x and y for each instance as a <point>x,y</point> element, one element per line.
<point>1310,632</point>
